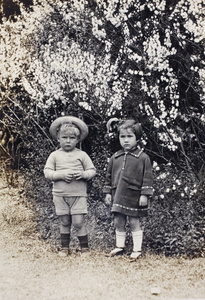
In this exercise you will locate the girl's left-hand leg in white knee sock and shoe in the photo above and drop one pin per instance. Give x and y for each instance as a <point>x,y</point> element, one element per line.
<point>120,222</point>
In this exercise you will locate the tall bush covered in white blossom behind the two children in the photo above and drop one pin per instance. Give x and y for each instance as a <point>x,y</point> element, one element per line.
<point>101,59</point>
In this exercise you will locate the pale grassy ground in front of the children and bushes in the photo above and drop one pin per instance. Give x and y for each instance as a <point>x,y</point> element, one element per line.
<point>31,269</point>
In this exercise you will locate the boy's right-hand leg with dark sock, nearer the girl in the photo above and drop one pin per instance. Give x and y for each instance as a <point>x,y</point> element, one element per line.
<point>79,224</point>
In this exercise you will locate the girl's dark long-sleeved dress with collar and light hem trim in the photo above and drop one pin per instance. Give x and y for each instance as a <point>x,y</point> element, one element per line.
<point>129,175</point>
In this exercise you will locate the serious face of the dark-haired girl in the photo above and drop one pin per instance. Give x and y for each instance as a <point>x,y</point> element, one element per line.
<point>127,139</point>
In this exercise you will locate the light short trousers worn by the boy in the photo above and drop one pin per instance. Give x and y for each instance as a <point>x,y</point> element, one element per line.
<point>70,205</point>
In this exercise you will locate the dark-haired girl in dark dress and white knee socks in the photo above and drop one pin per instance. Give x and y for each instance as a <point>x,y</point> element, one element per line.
<point>128,184</point>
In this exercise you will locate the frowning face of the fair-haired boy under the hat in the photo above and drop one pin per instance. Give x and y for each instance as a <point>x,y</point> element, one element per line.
<point>67,140</point>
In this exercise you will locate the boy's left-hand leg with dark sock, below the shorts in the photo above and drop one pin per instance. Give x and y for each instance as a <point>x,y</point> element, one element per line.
<point>65,224</point>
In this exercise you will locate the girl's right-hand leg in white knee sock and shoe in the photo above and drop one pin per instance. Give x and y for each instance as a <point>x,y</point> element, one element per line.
<point>137,235</point>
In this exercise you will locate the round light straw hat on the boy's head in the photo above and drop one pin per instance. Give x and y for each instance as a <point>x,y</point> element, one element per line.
<point>69,119</point>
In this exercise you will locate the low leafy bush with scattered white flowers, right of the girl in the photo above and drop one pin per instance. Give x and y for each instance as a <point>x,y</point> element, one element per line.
<point>177,205</point>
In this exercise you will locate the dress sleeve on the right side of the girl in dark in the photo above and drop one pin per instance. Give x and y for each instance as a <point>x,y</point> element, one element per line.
<point>147,184</point>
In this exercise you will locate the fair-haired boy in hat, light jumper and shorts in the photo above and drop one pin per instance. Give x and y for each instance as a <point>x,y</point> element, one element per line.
<point>69,168</point>
